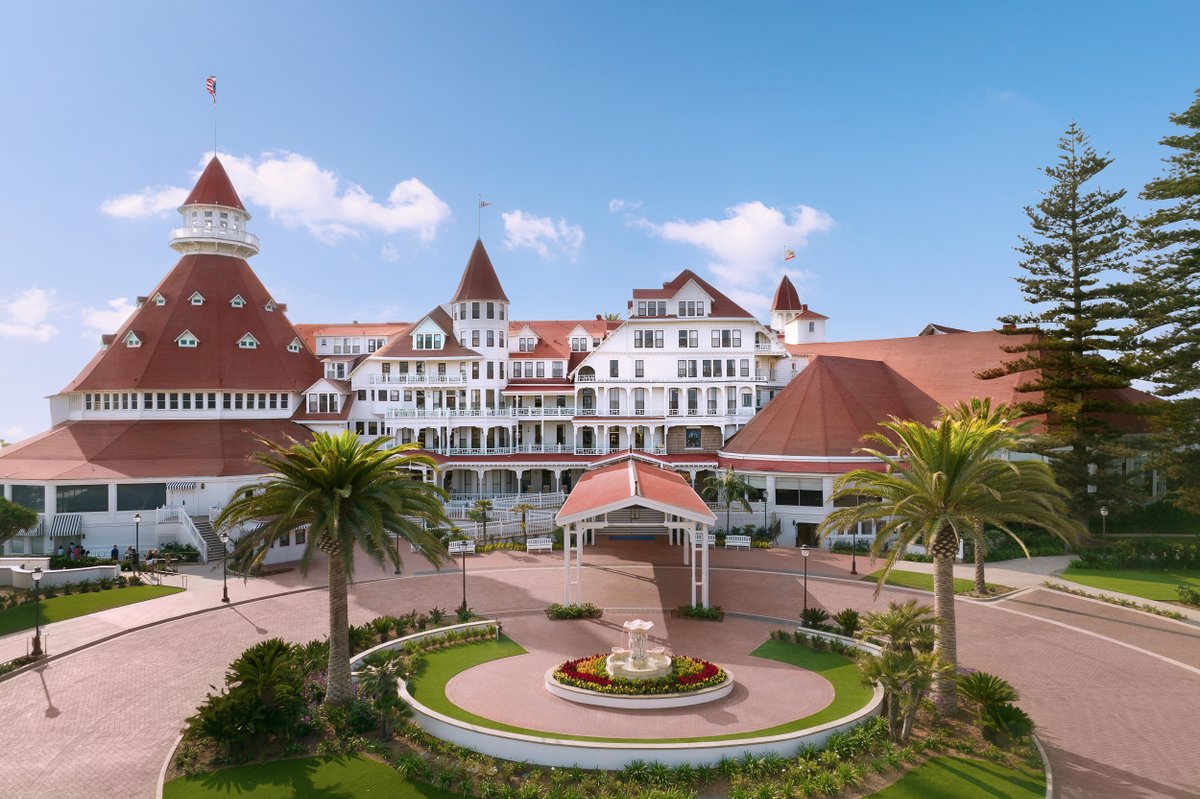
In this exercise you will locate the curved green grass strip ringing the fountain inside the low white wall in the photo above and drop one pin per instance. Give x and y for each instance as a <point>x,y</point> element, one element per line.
<point>842,672</point>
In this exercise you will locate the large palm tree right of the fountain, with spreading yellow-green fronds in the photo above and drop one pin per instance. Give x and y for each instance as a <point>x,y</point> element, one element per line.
<point>943,483</point>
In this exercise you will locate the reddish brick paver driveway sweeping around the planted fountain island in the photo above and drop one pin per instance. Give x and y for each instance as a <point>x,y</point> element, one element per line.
<point>1120,720</point>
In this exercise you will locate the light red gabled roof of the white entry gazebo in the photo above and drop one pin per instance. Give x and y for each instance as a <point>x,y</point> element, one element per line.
<point>633,483</point>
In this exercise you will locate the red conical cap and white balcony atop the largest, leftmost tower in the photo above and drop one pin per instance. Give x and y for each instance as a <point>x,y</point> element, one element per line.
<point>214,219</point>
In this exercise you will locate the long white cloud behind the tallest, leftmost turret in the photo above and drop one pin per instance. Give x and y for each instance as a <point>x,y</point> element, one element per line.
<point>297,193</point>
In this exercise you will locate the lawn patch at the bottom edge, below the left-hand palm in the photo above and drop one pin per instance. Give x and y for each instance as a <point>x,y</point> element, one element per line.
<point>307,778</point>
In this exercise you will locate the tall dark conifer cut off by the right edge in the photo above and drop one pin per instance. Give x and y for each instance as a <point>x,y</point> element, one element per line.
<point>1166,303</point>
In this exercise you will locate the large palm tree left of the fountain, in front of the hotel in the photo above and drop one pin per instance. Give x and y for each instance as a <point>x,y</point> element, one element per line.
<point>350,496</point>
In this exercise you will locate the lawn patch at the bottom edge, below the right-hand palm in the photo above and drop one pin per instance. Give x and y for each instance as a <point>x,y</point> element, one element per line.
<point>955,778</point>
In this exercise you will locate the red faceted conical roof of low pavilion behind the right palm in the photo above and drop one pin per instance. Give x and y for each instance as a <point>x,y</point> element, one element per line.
<point>827,408</point>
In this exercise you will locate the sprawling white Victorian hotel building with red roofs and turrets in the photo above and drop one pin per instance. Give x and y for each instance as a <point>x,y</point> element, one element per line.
<point>159,424</point>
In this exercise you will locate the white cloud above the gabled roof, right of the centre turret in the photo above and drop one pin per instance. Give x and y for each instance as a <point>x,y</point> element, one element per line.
<point>747,248</point>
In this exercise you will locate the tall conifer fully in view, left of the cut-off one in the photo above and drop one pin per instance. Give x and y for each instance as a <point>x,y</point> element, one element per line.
<point>1078,249</point>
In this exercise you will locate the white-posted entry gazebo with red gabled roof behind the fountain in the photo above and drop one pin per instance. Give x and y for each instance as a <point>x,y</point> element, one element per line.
<point>635,497</point>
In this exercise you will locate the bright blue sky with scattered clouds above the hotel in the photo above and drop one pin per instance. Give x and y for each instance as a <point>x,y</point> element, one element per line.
<point>892,146</point>
